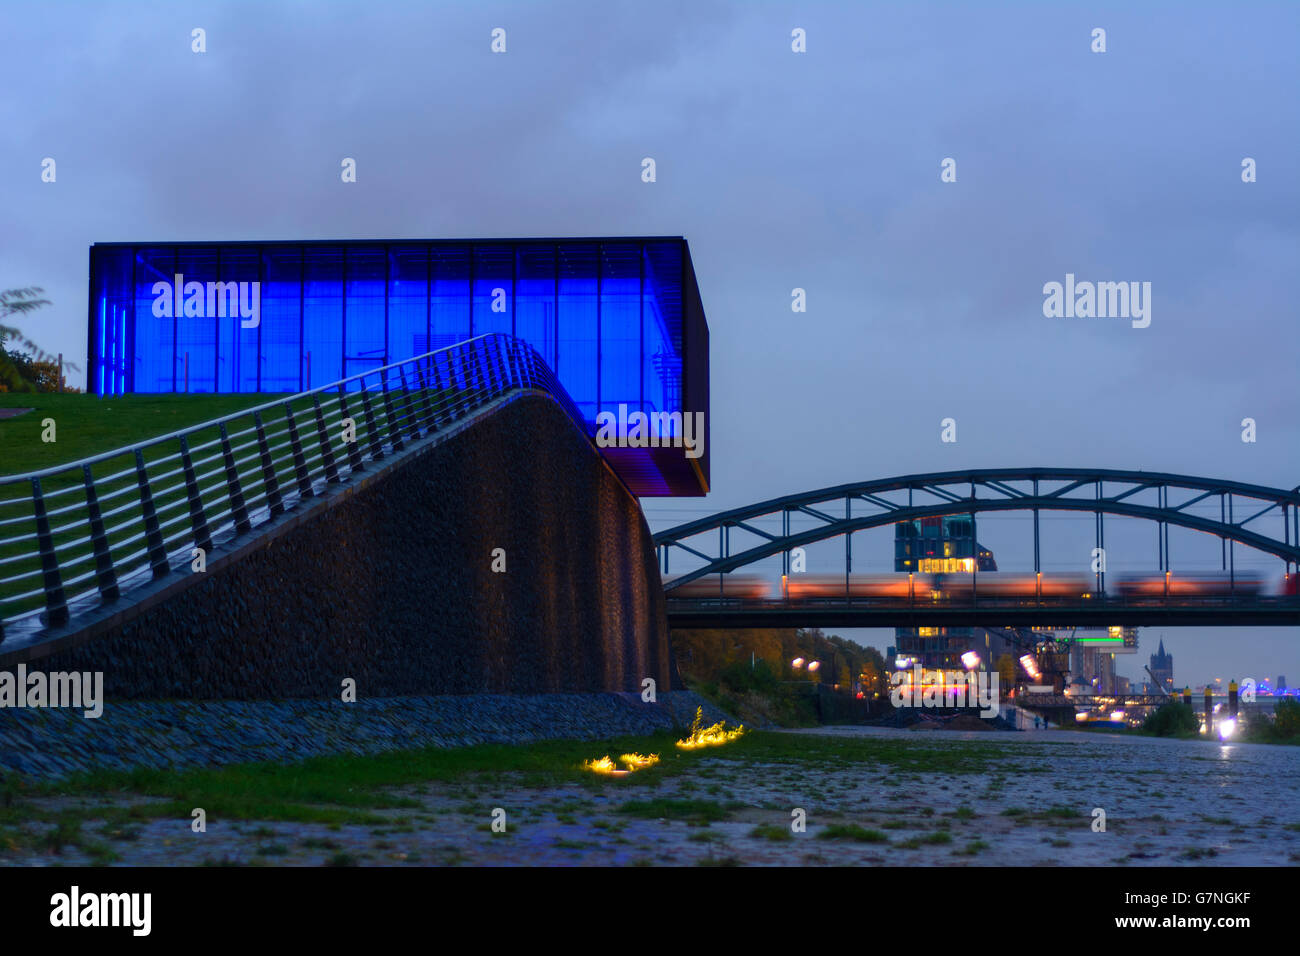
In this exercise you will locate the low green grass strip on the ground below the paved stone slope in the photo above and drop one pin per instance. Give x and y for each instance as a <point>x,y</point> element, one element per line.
<point>366,790</point>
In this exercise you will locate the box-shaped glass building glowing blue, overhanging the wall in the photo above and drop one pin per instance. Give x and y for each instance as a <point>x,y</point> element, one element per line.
<point>619,321</point>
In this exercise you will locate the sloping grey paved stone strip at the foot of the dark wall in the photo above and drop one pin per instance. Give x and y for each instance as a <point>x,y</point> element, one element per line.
<point>45,743</point>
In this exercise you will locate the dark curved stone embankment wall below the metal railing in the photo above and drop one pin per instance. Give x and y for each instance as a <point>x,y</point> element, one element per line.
<point>391,585</point>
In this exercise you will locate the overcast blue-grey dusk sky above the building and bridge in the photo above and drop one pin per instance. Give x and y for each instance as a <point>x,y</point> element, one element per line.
<point>817,171</point>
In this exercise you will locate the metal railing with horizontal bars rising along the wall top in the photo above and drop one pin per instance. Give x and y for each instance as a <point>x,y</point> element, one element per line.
<point>239,473</point>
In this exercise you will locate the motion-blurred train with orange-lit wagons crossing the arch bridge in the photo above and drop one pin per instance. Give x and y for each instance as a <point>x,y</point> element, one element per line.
<point>1132,589</point>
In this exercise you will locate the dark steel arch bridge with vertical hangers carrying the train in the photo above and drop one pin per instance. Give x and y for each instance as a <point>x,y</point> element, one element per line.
<point>1262,518</point>
